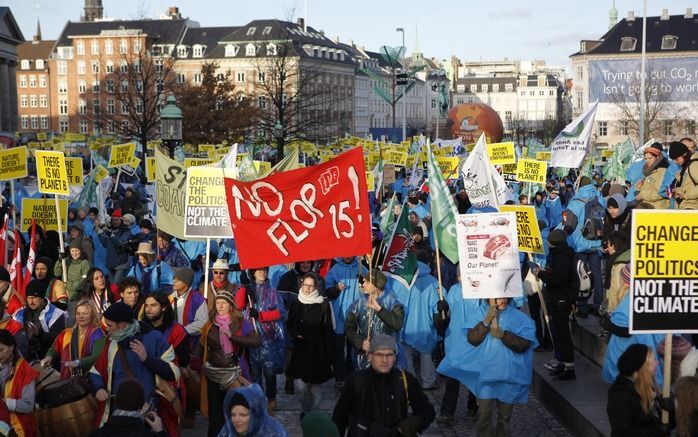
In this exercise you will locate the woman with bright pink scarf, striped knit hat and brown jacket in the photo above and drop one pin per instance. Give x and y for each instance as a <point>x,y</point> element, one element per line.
<point>223,348</point>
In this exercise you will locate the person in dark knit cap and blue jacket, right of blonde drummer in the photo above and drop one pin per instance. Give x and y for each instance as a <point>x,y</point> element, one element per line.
<point>130,352</point>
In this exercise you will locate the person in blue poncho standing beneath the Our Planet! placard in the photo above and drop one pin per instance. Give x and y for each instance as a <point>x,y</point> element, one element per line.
<point>498,368</point>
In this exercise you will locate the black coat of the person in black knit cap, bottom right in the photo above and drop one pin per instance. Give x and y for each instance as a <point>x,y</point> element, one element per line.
<point>625,412</point>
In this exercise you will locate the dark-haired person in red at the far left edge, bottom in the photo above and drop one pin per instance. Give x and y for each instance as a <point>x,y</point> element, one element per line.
<point>17,386</point>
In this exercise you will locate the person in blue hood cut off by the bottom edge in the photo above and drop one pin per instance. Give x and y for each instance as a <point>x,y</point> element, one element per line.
<point>245,411</point>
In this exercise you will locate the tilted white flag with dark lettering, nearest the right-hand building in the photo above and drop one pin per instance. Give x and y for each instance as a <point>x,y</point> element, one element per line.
<point>570,146</point>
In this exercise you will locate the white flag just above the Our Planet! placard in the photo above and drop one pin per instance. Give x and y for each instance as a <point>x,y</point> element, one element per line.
<point>477,177</point>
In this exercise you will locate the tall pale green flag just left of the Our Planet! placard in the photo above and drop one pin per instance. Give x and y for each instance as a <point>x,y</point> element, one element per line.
<point>443,210</point>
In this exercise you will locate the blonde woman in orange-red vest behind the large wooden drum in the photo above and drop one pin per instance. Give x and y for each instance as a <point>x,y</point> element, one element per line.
<point>76,349</point>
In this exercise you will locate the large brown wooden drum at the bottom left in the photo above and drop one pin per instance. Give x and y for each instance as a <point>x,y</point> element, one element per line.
<point>67,406</point>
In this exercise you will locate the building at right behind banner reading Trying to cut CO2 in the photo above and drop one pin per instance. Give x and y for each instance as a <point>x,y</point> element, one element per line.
<point>608,69</point>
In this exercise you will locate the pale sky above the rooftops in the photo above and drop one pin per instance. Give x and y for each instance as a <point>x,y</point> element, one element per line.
<point>469,29</point>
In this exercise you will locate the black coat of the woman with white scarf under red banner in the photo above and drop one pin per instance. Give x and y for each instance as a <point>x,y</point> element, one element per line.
<point>310,328</point>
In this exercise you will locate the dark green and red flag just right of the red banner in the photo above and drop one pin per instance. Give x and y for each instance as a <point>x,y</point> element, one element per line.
<point>401,258</point>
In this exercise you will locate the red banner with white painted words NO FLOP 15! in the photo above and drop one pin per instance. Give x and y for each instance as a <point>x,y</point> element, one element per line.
<point>310,213</point>
